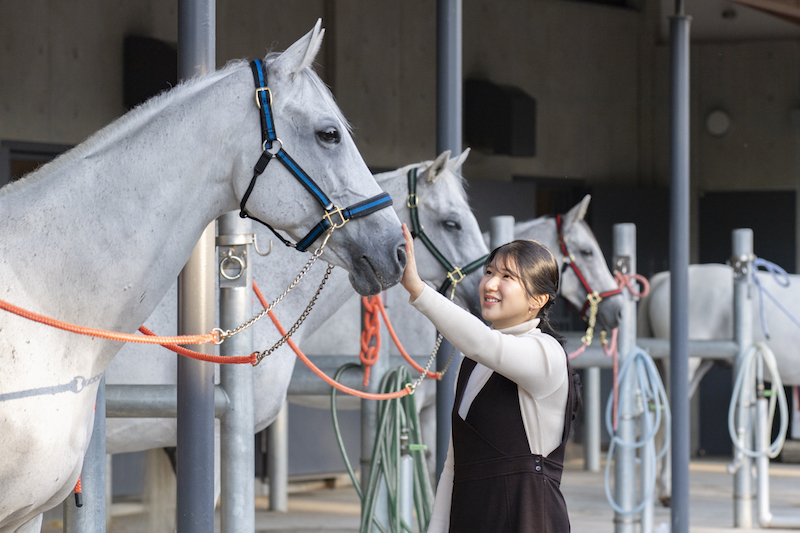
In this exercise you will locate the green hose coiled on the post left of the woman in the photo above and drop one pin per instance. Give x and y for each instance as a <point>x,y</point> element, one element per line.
<point>397,421</point>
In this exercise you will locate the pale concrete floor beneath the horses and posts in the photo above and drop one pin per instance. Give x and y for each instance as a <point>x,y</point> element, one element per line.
<point>336,510</point>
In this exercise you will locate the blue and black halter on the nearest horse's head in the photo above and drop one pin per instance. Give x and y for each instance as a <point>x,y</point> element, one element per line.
<point>334,217</point>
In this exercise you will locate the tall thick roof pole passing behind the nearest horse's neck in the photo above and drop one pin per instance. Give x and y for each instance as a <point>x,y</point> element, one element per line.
<point>196,306</point>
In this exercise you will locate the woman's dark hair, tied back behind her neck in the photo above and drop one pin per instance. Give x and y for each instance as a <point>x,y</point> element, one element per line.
<point>536,267</point>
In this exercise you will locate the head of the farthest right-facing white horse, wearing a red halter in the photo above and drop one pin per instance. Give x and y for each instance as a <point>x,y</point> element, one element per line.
<point>579,250</point>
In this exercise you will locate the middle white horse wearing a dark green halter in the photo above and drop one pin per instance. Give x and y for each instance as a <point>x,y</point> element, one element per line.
<point>448,220</point>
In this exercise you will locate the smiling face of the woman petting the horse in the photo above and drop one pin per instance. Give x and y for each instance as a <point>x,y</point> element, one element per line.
<point>504,301</point>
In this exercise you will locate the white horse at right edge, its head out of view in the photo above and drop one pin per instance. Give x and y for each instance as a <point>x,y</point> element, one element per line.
<point>711,318</point>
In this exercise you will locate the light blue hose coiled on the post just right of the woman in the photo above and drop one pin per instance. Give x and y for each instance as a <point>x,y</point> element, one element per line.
<point>653,398</point>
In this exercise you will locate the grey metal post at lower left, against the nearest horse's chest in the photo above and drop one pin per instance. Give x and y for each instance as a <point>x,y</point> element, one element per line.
<point>91,516</point>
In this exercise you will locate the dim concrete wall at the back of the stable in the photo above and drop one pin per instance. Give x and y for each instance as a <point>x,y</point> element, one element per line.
<point>599,75</point>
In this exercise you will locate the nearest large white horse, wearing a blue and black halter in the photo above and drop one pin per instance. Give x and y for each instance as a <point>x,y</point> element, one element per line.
<point>98,236</point>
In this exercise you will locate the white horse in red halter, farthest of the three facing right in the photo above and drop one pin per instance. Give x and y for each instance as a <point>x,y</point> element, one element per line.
<point>418,334</point>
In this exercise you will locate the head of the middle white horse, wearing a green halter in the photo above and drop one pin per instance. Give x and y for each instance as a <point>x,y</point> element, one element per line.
<point>449,241</point>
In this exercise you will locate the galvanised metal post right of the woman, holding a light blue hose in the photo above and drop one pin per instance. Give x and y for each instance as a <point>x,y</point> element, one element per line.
<point>625,460</point>
